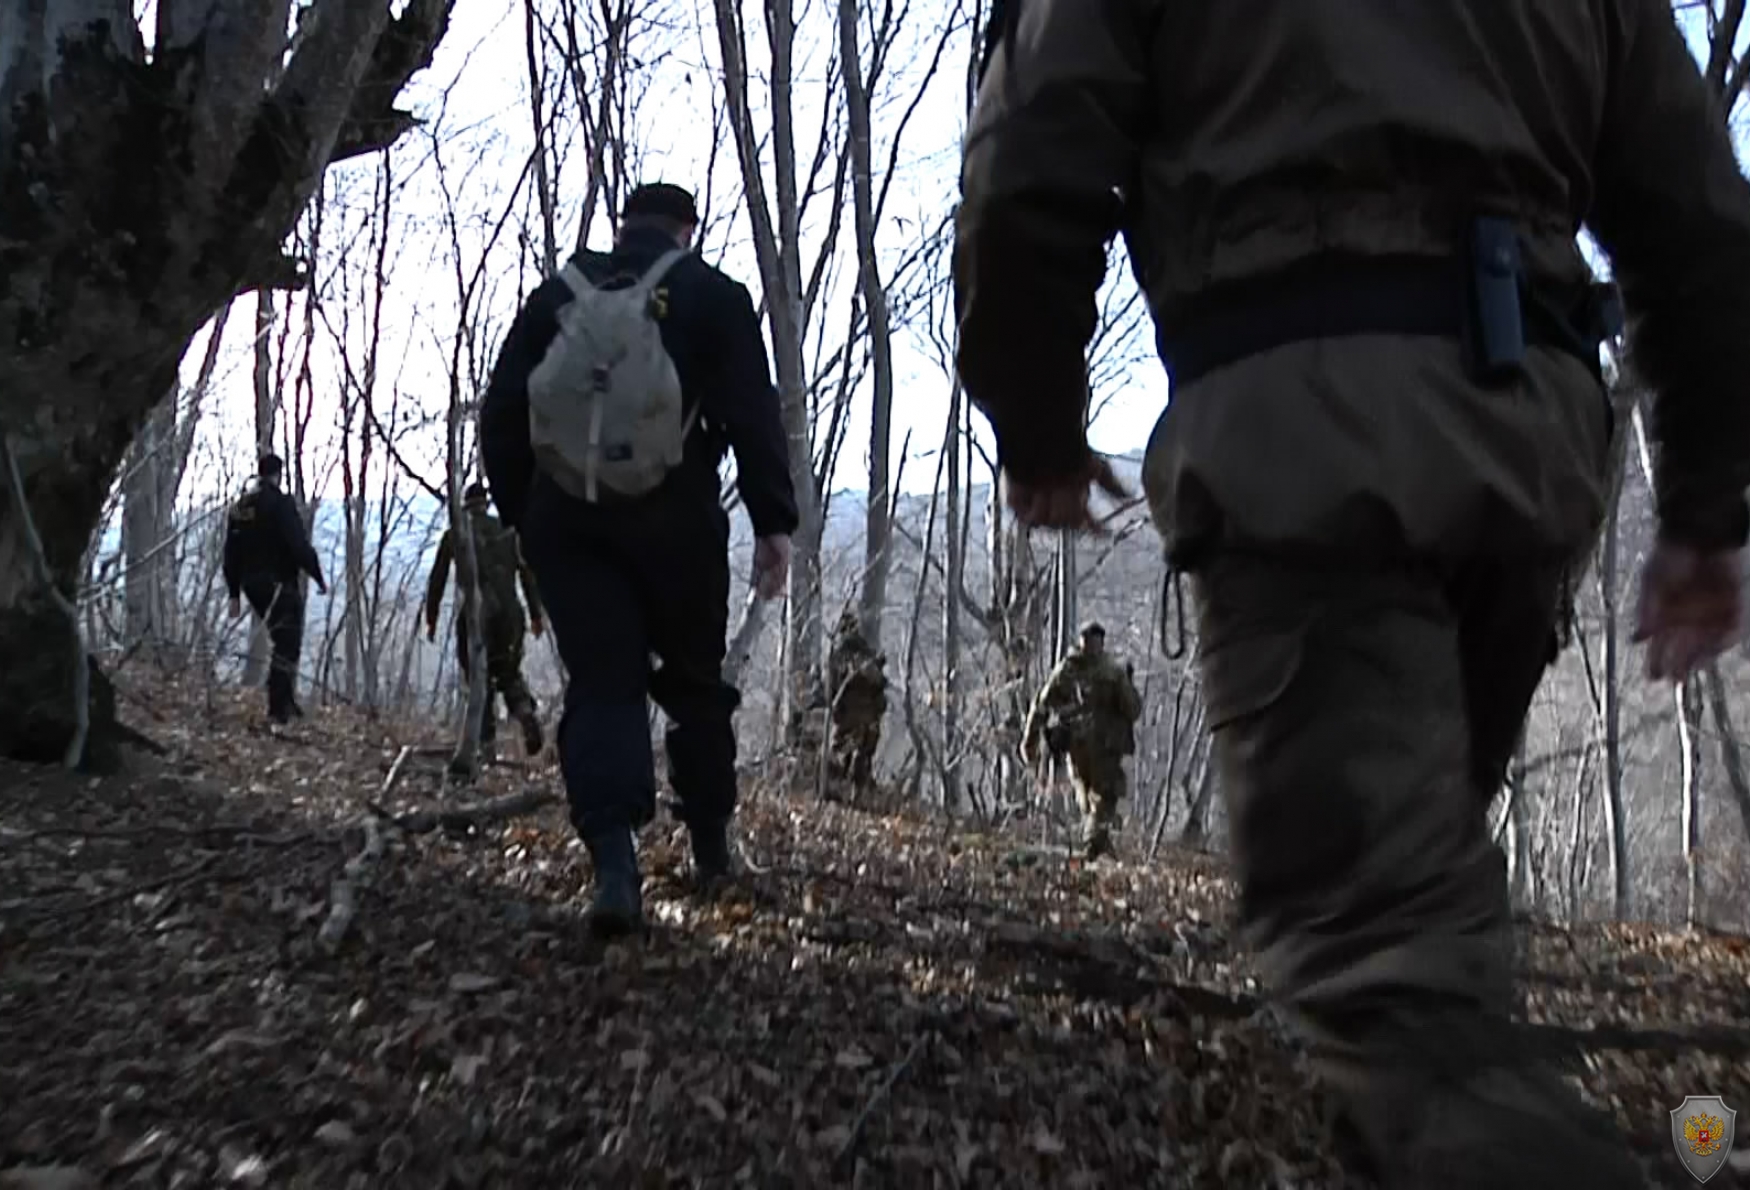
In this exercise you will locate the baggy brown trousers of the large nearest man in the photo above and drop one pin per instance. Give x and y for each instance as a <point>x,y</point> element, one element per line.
<point>1362,725</point>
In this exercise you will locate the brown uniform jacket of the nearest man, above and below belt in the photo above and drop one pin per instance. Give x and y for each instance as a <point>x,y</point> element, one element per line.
<point>1229,141</point>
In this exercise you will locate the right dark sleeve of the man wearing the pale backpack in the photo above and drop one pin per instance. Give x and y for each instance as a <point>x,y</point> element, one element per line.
<point>745,407</point>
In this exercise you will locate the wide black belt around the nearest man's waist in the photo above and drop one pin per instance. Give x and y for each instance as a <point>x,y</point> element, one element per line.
<point>1343,297</point>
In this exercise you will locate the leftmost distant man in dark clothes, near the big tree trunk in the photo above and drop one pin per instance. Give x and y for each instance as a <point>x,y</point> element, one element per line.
<point>265,550</point>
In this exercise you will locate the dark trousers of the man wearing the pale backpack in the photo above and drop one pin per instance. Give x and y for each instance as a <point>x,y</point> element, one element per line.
<point>622,584</point>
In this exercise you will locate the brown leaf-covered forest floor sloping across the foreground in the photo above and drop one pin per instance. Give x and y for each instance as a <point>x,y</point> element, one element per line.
<point>879,1002</point>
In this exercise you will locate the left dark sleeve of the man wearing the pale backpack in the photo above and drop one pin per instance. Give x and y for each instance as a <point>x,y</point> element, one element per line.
<point>505,451</point>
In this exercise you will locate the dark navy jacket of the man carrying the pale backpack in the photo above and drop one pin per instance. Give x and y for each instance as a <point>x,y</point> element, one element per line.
<point>711,333</point>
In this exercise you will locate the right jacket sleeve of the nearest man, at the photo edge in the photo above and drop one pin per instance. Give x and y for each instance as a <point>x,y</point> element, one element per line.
<point>1672,209</point>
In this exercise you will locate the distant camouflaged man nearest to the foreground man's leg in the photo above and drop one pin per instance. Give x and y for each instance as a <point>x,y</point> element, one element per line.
<point>1088,711</point>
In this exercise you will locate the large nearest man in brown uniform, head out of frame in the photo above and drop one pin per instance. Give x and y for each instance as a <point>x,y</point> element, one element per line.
<point>1387,454</point>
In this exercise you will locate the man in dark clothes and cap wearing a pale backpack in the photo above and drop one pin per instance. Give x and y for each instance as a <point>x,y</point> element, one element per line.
<point>617,393</point>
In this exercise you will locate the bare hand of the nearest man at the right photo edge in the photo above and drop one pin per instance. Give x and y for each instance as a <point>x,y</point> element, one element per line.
<point>1691,608</point>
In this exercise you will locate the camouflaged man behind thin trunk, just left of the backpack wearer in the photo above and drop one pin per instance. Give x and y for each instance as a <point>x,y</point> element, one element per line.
<point>501,566</point>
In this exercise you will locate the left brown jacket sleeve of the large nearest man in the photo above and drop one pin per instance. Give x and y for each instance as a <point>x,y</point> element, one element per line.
<point>1053,143</point>
